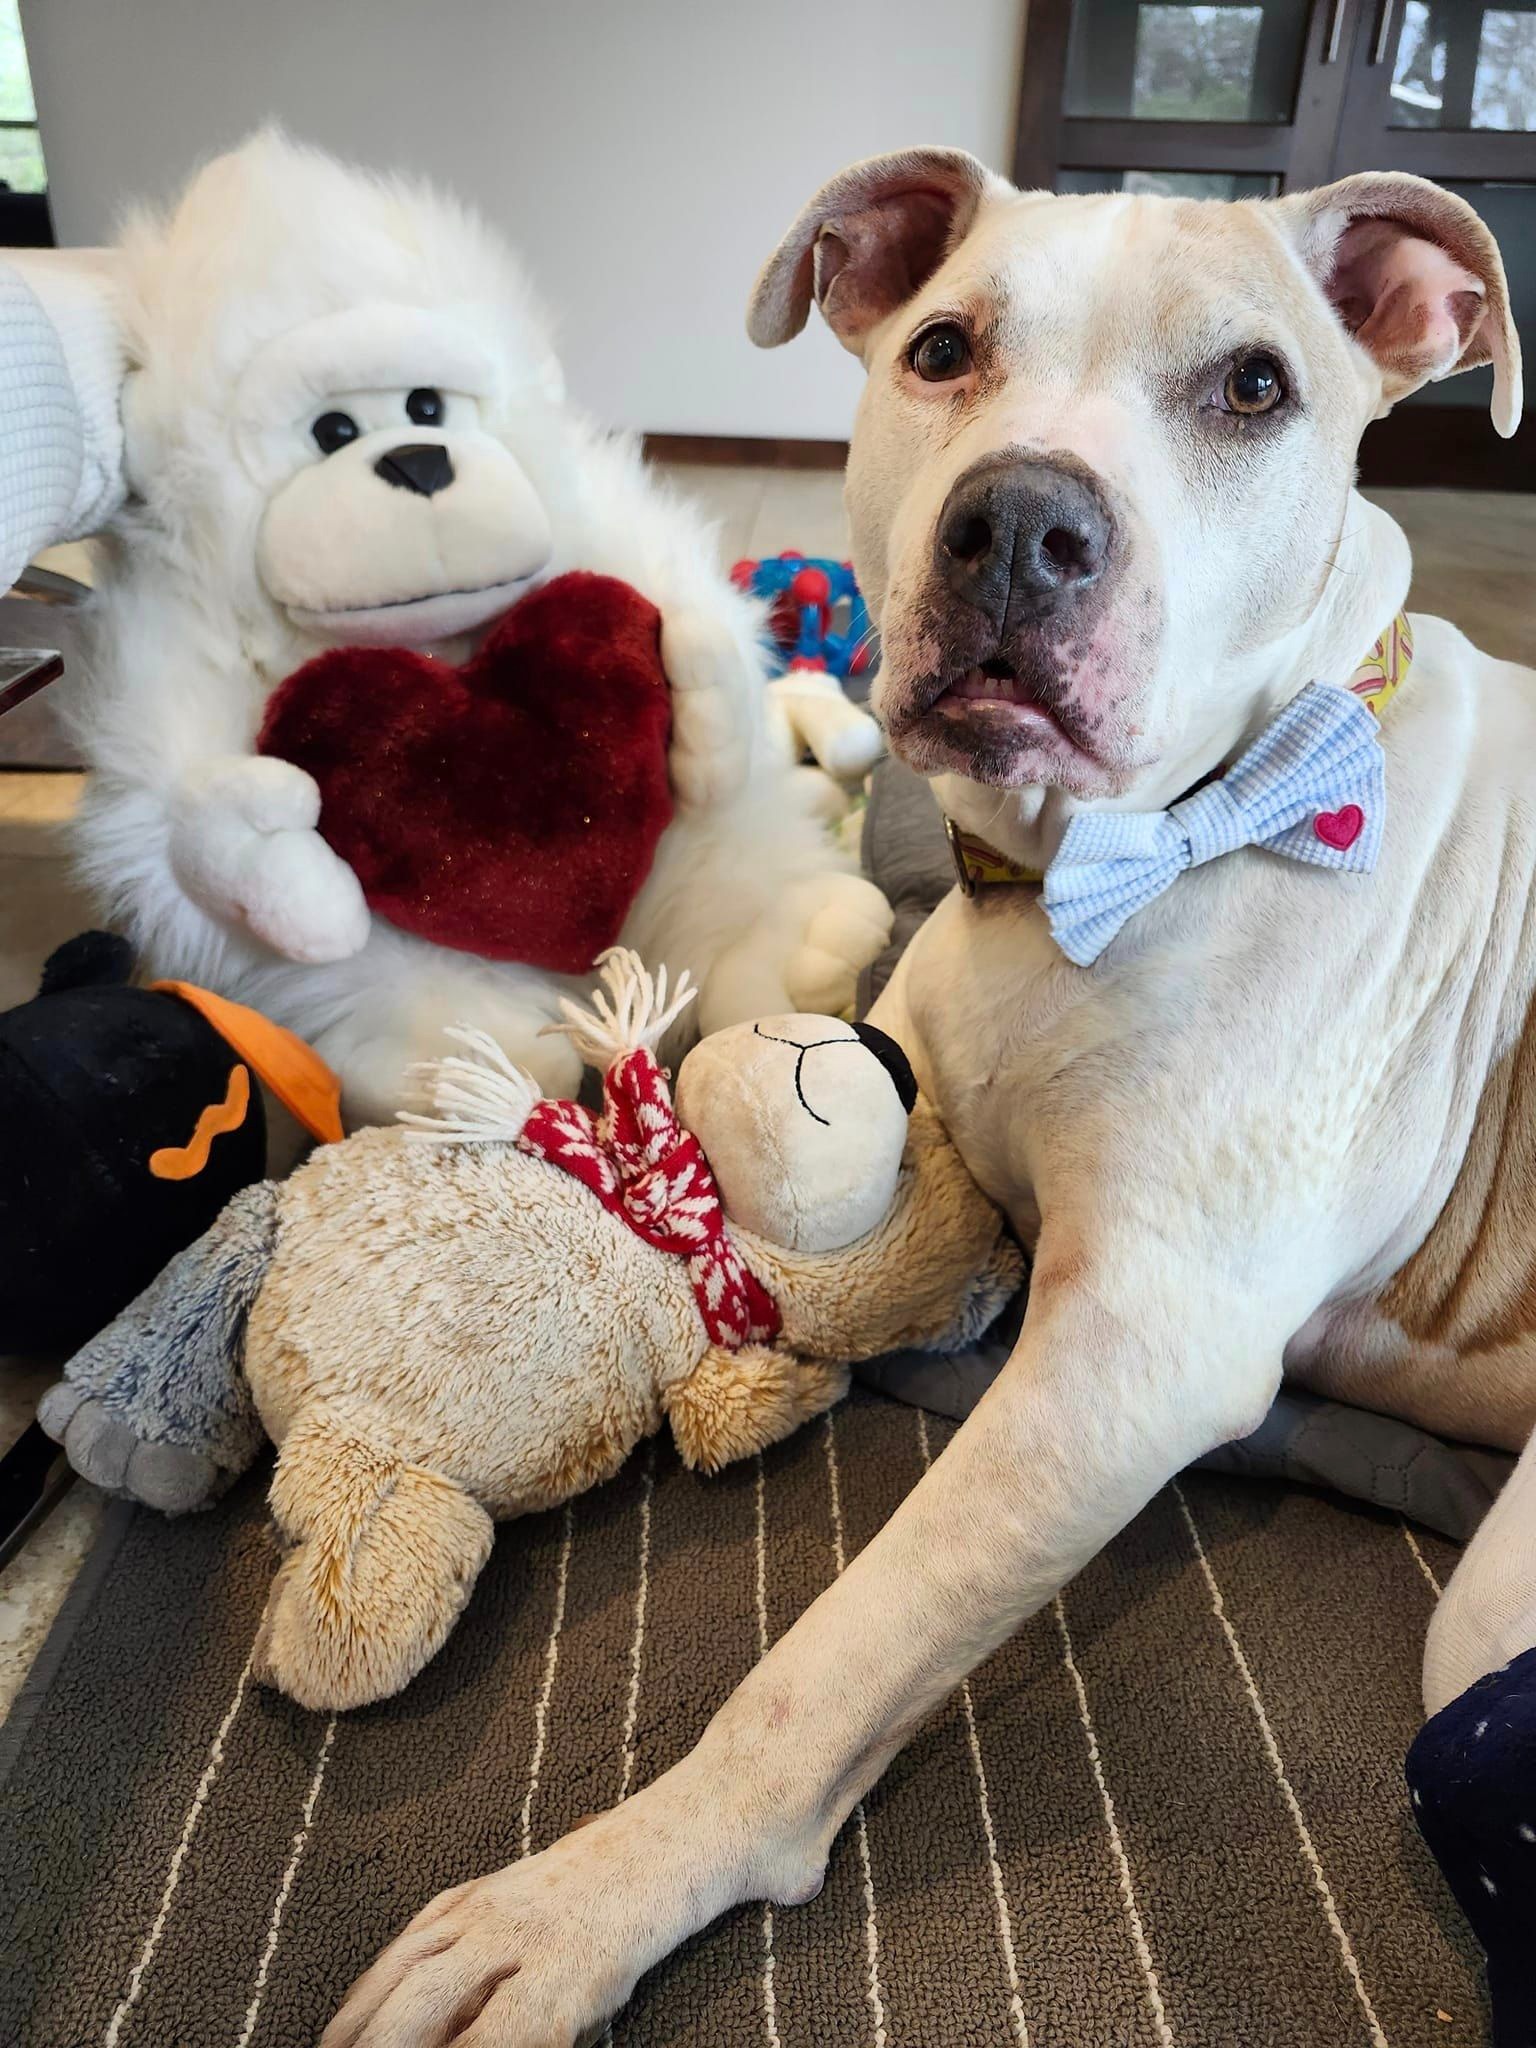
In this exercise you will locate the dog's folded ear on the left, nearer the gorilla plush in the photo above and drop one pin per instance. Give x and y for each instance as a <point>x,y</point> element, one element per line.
<point>867,241</point>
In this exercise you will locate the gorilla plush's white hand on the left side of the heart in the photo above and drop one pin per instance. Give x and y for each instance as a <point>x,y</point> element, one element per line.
<point>245,847</point>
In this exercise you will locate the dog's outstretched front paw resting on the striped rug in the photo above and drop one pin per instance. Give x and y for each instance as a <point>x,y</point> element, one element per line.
<point>536,1957</point>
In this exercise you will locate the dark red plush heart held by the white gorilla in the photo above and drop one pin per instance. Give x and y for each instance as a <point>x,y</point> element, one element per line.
<point>511,806</point>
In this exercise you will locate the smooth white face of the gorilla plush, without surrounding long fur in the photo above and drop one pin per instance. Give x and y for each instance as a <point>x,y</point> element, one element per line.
<point>394,511</point>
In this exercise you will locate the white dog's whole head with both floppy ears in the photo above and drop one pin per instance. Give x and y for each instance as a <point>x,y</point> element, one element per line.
<point>1105,450</point>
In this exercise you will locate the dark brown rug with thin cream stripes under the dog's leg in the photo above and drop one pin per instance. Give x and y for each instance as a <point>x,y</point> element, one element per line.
<point>1168,1814</point>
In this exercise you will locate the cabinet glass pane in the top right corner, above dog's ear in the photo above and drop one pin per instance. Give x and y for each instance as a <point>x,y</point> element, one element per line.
<point>1465,67</point>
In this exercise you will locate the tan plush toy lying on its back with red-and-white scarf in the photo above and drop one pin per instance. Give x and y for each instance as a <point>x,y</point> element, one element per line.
<point>478,1314</point>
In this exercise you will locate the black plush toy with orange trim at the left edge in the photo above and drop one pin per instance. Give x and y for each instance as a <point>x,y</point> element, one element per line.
<point>128,1119</point>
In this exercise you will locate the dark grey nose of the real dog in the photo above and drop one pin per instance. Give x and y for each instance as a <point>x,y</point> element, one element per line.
<point>1021,540</point>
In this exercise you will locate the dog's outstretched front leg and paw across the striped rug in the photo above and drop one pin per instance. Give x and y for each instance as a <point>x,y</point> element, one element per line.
<point>1107,1396</point>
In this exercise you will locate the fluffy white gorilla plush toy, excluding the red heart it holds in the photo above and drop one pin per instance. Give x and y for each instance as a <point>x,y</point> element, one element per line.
<point>302,337</point>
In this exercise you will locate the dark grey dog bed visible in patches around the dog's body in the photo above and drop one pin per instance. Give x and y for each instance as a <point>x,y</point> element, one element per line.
<point>1353,1451</point>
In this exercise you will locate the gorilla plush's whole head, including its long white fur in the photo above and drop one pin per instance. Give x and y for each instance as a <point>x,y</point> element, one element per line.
<point>333,376</point>
